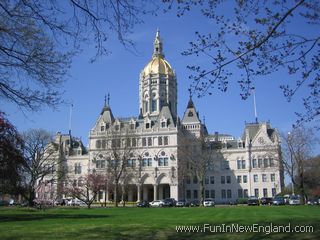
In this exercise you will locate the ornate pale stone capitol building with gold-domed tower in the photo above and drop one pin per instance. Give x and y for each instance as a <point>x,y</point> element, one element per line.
<point>151,154</point>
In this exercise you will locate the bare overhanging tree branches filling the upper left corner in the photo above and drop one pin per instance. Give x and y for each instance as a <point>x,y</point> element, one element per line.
<point>39,38</point>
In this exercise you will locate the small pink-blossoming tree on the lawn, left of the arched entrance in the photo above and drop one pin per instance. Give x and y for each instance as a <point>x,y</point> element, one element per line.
<point>87,189</point>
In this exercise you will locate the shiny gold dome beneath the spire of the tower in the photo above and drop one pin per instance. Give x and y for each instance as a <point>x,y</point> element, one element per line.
<point>158,66</point>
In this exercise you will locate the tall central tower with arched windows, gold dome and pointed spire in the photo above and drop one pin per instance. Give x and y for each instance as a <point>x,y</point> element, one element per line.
<point>158,84</point>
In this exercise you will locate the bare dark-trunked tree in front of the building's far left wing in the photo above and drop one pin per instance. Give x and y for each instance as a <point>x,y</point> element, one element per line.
<point>41,163</point>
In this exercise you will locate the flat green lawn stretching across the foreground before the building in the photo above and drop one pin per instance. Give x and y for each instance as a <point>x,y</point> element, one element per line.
<point>155,223</point>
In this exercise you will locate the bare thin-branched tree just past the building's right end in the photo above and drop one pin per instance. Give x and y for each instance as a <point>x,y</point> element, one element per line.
<point>297,148</point>
